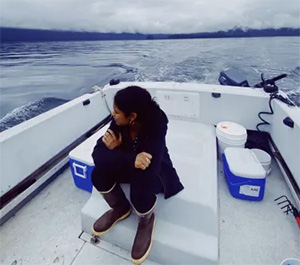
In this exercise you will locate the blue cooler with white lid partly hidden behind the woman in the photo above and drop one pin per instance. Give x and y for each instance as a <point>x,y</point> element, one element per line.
<point>81,161</point>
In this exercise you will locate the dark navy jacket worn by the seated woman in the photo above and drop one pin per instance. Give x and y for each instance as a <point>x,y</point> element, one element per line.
<point>151,139</point>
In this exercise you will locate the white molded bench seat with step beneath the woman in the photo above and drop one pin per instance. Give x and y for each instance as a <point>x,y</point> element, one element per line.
<point>187,224</point>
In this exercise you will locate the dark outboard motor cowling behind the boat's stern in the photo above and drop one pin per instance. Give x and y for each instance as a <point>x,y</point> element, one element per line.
<point>232,77</point>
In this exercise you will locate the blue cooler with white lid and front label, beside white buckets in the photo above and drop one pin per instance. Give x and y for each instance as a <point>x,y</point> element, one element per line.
<point>245,175</point>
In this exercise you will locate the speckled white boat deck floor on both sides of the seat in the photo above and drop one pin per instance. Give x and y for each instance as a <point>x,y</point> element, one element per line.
<point>48,229</point>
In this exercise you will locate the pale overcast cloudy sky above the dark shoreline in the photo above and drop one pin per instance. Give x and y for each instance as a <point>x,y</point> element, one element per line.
<point>149,16</point>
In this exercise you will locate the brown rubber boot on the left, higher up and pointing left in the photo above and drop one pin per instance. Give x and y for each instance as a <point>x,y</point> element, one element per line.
<point>121,209</point>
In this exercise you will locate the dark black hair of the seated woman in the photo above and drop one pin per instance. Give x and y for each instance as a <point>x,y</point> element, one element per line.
<point>138,100</point>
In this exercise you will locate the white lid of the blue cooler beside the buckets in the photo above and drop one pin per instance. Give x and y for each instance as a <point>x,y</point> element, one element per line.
<point>243,163</point>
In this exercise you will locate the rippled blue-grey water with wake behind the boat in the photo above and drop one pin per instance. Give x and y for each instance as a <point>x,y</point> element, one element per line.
<point>38,76</point>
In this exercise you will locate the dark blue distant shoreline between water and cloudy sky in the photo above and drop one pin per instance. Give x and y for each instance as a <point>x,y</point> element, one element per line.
<point>32,35</point>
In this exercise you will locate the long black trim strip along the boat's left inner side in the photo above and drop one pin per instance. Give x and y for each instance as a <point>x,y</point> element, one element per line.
<point>37,174</point>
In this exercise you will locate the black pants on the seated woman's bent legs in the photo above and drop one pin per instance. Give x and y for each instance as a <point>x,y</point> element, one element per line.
<point>143,186</point>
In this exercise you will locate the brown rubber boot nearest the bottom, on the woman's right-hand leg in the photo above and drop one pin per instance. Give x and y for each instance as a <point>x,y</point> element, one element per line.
<point>143,238</point>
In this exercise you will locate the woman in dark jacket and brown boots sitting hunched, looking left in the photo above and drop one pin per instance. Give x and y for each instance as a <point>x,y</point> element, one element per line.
<point>133,150</point>
